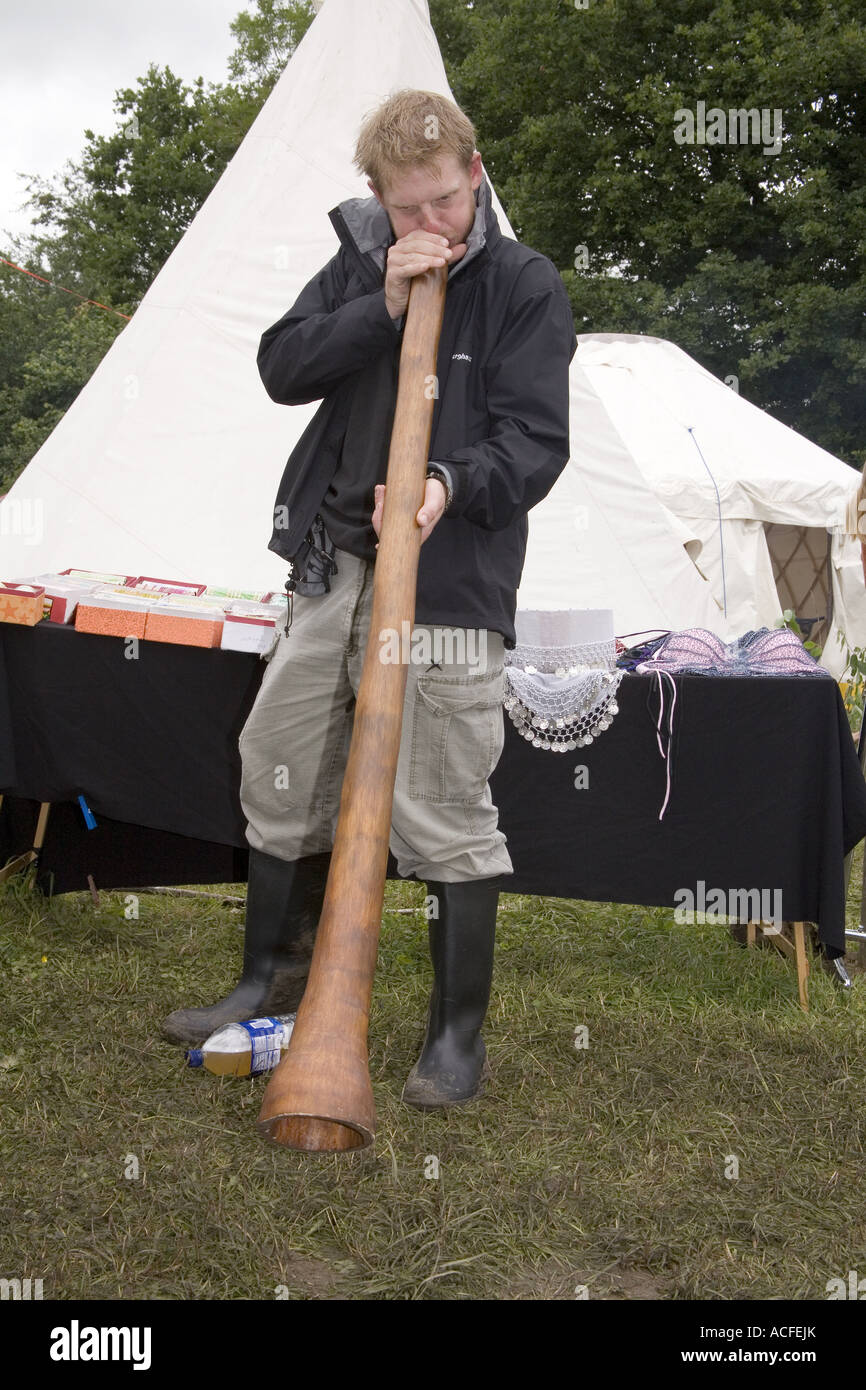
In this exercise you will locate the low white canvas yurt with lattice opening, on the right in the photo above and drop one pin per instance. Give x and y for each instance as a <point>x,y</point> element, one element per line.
<point>760,511</point>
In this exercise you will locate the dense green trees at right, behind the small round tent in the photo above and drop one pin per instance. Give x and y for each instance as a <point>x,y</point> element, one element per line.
<point>754,263</point>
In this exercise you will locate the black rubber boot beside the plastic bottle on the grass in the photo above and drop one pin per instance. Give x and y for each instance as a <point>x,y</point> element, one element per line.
<point>283,908</point>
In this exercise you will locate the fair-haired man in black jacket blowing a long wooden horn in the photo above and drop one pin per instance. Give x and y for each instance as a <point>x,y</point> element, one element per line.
<point>500,440</point>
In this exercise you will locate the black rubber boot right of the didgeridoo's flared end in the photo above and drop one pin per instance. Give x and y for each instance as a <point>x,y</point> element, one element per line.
<point>452,1067</point>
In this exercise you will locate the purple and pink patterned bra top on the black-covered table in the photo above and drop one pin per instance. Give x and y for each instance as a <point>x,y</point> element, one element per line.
<point>765,653</point>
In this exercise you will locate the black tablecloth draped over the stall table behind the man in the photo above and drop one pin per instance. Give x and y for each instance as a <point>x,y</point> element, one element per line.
<point>767,789</point>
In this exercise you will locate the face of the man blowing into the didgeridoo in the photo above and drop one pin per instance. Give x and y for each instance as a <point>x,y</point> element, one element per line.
<point>443,205</point>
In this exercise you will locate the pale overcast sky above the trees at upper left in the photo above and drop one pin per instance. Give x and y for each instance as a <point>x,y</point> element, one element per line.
<point>63,60</point>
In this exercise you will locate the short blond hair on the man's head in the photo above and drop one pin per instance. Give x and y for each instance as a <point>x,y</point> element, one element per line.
<point>412,129</point>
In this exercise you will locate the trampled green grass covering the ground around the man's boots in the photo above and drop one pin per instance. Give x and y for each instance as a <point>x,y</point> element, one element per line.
<point>603,1166</point>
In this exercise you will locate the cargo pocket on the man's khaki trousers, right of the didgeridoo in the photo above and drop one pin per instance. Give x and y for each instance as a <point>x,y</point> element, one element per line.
<point>458,736</point>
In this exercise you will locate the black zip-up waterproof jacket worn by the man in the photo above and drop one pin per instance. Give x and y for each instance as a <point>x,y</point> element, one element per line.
<point>501,420</point>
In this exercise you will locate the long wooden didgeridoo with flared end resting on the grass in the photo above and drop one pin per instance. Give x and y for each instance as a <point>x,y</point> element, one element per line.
<point>320,1099</point>
